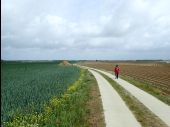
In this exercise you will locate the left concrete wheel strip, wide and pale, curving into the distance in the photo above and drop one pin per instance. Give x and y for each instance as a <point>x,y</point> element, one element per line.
<point>116,112</point>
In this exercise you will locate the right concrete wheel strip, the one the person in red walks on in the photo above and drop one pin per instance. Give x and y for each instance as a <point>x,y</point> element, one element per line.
<point>159,108</point>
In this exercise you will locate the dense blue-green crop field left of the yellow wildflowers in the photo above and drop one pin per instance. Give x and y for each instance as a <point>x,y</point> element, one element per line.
<point>27,87</point>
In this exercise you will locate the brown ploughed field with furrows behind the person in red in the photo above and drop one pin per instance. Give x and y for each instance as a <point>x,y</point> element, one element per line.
<point>154,73</point>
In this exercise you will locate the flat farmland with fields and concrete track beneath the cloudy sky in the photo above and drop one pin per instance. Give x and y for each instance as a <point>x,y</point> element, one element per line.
<point>63,93</point>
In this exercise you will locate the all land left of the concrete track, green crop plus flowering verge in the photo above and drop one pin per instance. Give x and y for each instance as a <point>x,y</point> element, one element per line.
<point>49,94</point>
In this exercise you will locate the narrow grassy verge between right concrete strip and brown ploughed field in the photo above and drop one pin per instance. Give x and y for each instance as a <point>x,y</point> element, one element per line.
<point>150,89</point>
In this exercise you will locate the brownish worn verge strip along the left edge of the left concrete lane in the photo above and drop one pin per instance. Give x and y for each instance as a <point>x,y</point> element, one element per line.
<point>95,110</point>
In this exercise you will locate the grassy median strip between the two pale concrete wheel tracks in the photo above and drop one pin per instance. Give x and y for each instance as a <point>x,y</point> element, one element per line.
<point>141,112</point>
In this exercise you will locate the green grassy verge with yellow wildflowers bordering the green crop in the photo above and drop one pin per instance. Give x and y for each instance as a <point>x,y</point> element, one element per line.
<point>70,110</point>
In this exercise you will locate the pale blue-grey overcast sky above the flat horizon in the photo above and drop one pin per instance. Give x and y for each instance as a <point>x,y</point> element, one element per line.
<point>85,29</point>
